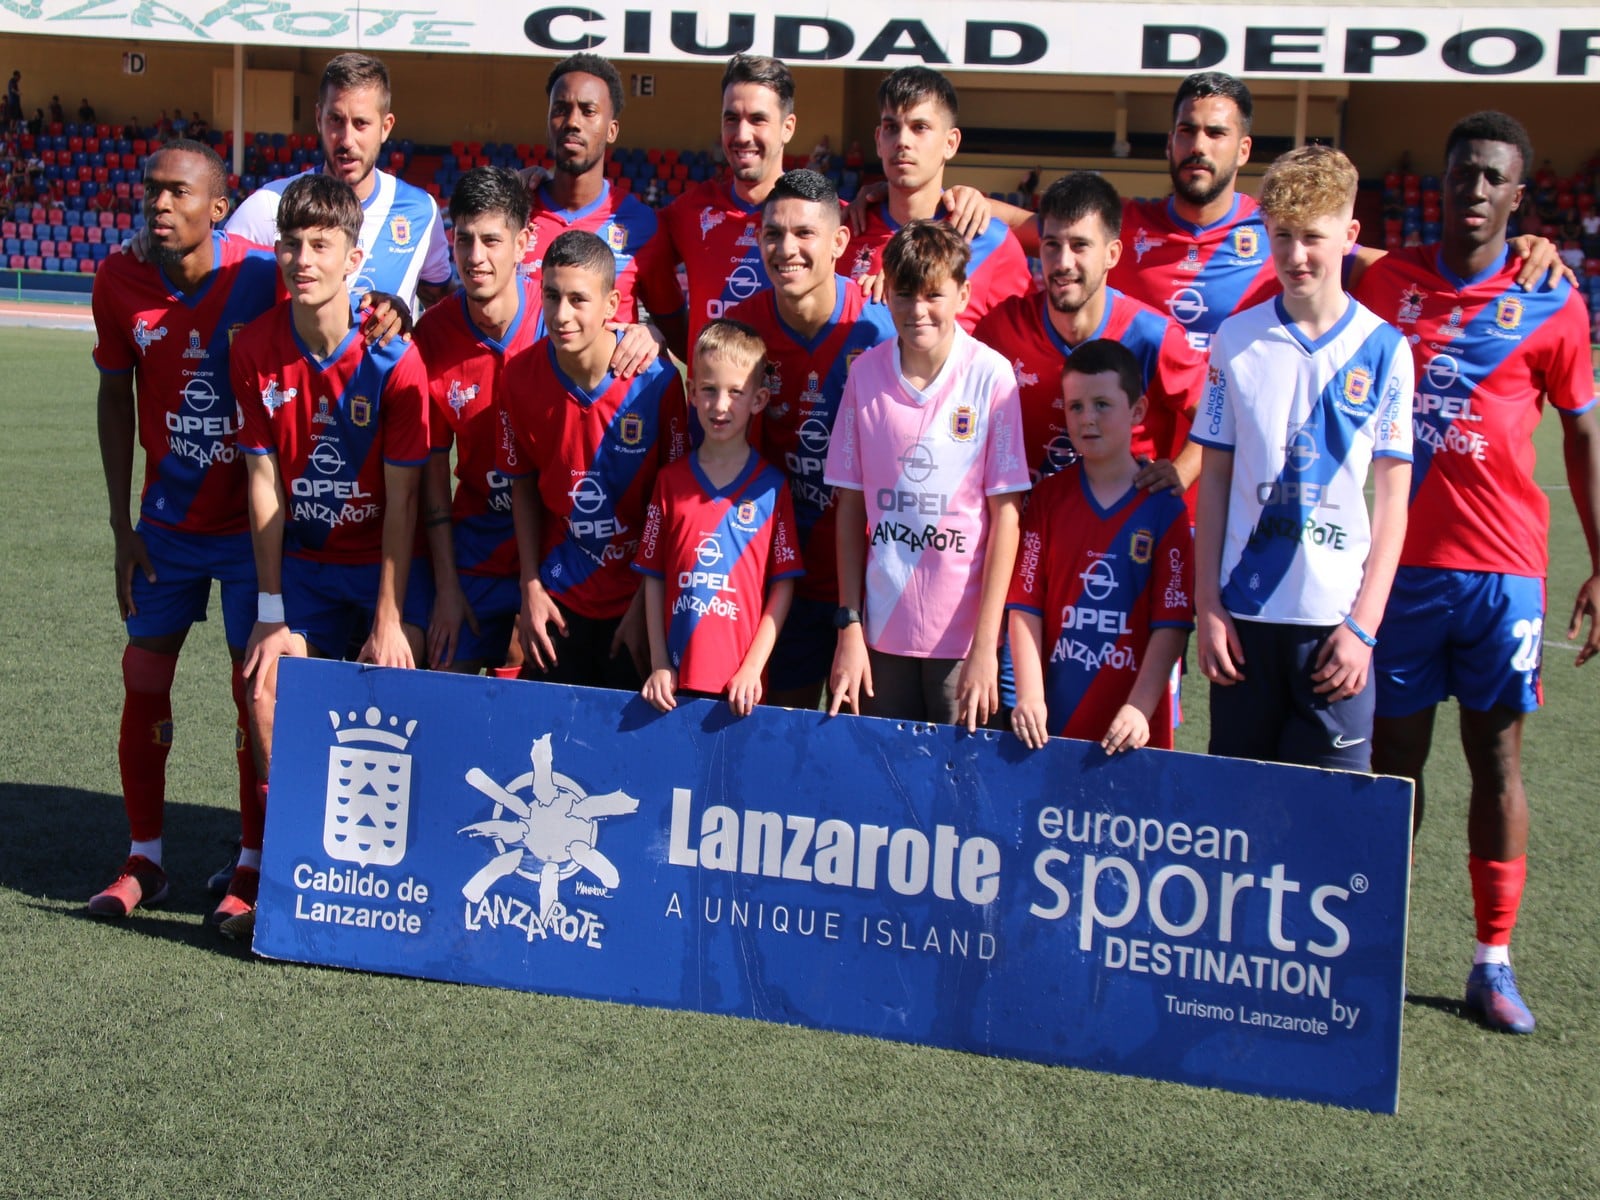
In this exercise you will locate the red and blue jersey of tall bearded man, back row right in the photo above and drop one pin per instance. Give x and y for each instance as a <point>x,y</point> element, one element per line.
<point>1199,276</point>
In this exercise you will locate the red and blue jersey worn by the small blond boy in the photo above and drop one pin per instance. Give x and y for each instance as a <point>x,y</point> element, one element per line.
<point>718,551</point>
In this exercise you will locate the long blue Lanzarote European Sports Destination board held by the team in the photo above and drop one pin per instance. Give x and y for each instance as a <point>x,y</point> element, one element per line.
<point>1214,922</point>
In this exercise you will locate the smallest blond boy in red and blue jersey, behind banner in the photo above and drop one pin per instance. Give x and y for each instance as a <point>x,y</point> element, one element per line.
<point>719,553</point>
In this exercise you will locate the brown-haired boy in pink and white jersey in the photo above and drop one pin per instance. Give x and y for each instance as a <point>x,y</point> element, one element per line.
<point>929,470</point>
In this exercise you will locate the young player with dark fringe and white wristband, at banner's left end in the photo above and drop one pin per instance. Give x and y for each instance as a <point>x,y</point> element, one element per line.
<point>337,439</point>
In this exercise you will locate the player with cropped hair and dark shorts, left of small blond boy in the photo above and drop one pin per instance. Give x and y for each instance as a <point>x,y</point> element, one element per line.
<point>583,449</point>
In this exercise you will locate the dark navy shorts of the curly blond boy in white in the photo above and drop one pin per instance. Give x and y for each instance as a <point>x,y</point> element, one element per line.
<point>1276,718</point>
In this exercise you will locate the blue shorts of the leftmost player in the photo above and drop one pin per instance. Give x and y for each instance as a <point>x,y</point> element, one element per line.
<point>185,567</point>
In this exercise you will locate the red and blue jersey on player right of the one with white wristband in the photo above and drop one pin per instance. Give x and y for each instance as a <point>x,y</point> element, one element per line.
<point>465,367</point>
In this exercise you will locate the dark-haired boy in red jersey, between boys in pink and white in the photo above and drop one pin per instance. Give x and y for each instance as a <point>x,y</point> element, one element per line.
<point>1100,606</point>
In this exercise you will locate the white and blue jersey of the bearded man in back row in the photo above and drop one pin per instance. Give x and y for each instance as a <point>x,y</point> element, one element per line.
<point>402,236</point>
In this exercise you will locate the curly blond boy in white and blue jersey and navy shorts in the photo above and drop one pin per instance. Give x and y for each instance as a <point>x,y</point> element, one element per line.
<point>1308,393</point>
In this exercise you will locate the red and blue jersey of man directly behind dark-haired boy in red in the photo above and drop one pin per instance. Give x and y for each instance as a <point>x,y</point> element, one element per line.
<point>1174,375</point>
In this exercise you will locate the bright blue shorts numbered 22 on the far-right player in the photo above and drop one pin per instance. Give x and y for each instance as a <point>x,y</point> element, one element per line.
<point>1468,634</point>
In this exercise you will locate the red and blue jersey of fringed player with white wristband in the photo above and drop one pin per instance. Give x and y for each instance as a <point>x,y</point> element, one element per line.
<point>334,425</point>
